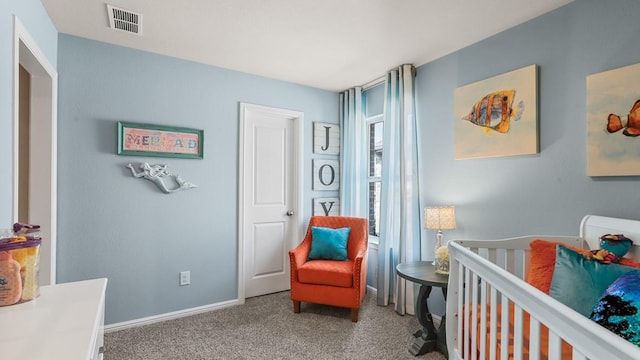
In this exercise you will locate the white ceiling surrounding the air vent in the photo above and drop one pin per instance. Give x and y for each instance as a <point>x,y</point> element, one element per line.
<point>327,44</point>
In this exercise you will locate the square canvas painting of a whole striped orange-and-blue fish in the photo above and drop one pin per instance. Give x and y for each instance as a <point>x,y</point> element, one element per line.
<point>497,116</point>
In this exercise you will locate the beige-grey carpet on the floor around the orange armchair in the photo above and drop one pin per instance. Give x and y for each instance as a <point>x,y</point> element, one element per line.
<point>265,327</point>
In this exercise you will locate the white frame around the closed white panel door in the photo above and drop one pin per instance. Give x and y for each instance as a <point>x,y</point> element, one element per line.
<point>298,157</point>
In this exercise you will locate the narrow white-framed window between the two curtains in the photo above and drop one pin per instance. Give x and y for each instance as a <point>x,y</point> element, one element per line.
<point>375,128</point>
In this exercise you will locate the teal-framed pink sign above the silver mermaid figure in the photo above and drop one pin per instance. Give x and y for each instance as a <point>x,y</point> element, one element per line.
<point>159,140</point>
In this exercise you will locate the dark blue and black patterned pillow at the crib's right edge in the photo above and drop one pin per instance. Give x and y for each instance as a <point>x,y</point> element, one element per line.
<point>618,309</point>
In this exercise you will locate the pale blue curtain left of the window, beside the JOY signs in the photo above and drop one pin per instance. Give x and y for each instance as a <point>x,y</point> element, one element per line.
<point>353,174</point>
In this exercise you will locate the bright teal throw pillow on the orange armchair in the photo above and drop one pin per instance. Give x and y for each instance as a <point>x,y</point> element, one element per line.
<point>329,244</point>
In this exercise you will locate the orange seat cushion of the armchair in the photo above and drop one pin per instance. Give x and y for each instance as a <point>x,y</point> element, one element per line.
<point>327,272</point>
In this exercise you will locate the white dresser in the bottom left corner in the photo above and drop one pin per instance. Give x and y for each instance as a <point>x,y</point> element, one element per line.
<point>65,322</point>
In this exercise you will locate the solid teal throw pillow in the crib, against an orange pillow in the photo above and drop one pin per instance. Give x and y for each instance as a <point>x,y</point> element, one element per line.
<point>579,282</point>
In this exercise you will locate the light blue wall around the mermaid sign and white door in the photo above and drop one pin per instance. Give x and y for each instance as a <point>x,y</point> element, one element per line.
<point>113,225</point>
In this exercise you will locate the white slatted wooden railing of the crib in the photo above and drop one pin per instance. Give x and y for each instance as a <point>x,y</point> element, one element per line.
<point>486,276</point>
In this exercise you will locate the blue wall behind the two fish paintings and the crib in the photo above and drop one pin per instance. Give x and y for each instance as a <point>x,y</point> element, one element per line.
<point>546,193</point>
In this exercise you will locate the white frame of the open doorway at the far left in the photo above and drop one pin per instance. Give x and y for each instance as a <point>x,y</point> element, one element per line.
<point>43,115</point>
